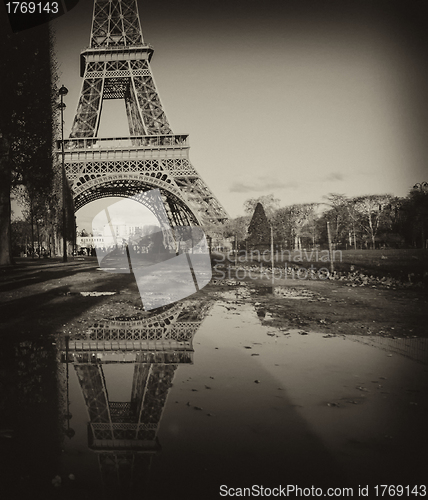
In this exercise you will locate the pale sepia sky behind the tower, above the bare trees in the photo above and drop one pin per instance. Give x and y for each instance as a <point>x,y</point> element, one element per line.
<point>295,98</point>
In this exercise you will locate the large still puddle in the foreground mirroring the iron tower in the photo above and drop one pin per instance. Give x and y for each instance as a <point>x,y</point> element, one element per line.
<point>176,404</point>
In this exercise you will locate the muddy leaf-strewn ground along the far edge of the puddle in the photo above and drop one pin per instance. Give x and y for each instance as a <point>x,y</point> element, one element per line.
<point>45,297</point>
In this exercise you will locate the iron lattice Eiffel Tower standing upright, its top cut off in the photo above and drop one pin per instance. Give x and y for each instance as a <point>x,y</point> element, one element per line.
<point>117,66</point>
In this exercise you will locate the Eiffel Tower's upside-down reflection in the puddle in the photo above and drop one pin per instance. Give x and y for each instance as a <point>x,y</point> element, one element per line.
<point>123,434</point>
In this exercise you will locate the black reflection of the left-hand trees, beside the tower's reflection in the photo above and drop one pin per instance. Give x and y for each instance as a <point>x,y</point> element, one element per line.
<point>28,416</point>
